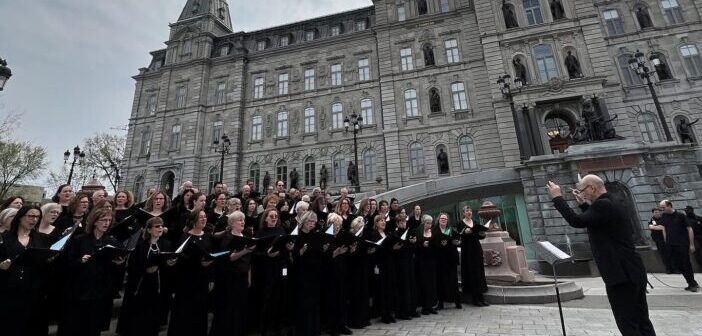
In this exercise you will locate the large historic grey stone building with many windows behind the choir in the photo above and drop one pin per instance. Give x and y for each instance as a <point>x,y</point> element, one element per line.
<point>422,74</point>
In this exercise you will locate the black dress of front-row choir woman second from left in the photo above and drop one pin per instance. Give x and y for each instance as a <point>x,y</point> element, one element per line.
<point>88,287</point>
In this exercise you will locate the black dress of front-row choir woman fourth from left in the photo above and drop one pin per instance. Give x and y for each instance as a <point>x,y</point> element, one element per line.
<point>192,279</point>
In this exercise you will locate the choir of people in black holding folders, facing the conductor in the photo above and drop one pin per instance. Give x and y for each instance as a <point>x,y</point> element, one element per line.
<point>274,264</point>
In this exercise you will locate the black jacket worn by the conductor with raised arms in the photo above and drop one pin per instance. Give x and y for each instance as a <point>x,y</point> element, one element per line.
<point>611,239</point>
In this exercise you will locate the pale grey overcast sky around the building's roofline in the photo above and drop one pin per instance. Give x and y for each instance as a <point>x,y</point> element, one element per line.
<point>72,60</point>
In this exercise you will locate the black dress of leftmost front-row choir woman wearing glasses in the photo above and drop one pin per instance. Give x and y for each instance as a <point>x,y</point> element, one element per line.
<point>22,289</point>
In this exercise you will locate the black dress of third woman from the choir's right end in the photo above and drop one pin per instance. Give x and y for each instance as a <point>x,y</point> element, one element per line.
<point>426,272</point>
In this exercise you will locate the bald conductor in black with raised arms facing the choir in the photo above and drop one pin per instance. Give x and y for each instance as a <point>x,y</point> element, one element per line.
<point>612,247</point>
